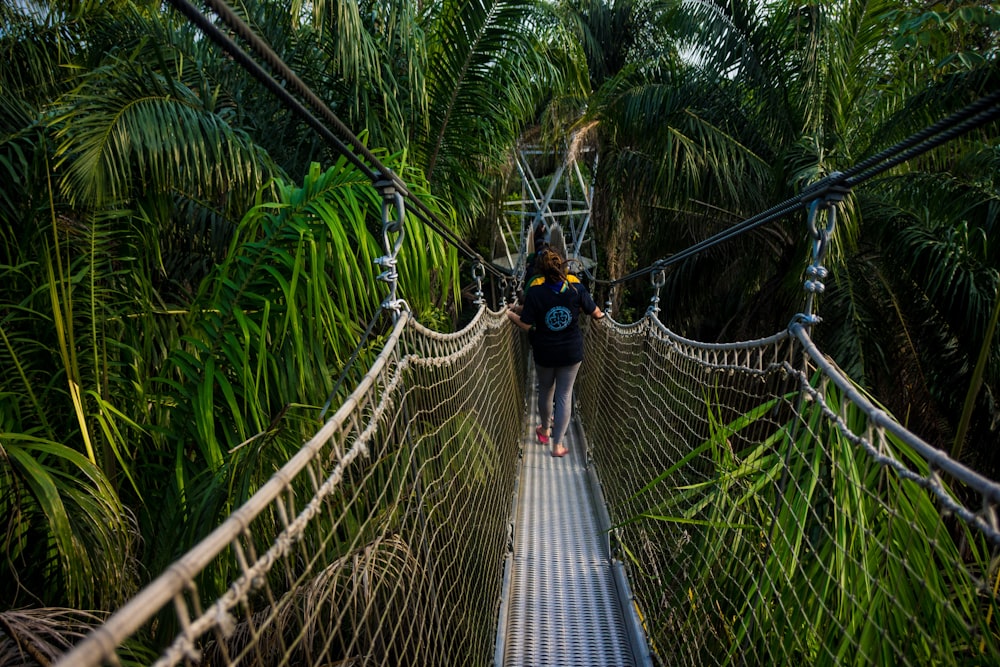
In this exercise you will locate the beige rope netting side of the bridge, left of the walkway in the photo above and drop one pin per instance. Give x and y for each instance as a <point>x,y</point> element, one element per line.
<point>382,542</point>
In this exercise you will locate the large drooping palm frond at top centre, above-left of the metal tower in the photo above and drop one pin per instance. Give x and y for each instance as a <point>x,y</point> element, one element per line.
<point>484,75</point>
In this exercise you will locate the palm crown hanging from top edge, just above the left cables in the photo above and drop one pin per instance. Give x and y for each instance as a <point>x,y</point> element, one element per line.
<point>452,82</point>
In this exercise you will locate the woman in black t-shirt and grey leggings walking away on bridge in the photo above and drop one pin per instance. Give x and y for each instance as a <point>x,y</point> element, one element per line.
<point>553,302</point>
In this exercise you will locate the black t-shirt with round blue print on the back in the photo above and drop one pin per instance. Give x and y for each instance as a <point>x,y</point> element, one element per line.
<point>554,310</point>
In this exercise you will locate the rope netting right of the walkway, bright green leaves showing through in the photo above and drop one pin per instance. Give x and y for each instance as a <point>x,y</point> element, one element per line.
<point>769,513</point>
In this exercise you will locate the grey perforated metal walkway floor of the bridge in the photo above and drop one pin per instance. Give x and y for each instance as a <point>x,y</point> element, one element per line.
<point>567,602</point>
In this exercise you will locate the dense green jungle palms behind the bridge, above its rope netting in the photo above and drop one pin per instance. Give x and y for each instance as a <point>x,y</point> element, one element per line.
<point>162,217</point>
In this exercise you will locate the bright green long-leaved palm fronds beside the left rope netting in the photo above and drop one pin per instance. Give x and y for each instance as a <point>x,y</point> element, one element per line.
<point>271,328</point>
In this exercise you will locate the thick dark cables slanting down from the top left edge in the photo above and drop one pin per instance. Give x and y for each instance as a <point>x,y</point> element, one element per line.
<point>374,169</point>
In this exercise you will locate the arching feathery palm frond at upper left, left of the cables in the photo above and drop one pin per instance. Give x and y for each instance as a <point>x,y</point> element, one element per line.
<point>127,129</point>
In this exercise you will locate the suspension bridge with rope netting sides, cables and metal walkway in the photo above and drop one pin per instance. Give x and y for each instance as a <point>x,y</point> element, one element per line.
<point>722,504</point>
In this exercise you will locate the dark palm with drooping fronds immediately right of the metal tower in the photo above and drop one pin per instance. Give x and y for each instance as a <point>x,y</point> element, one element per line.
<point>666,133</point>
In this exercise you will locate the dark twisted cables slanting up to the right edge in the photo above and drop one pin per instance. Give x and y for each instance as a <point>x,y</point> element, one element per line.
<point>976,114</point>
